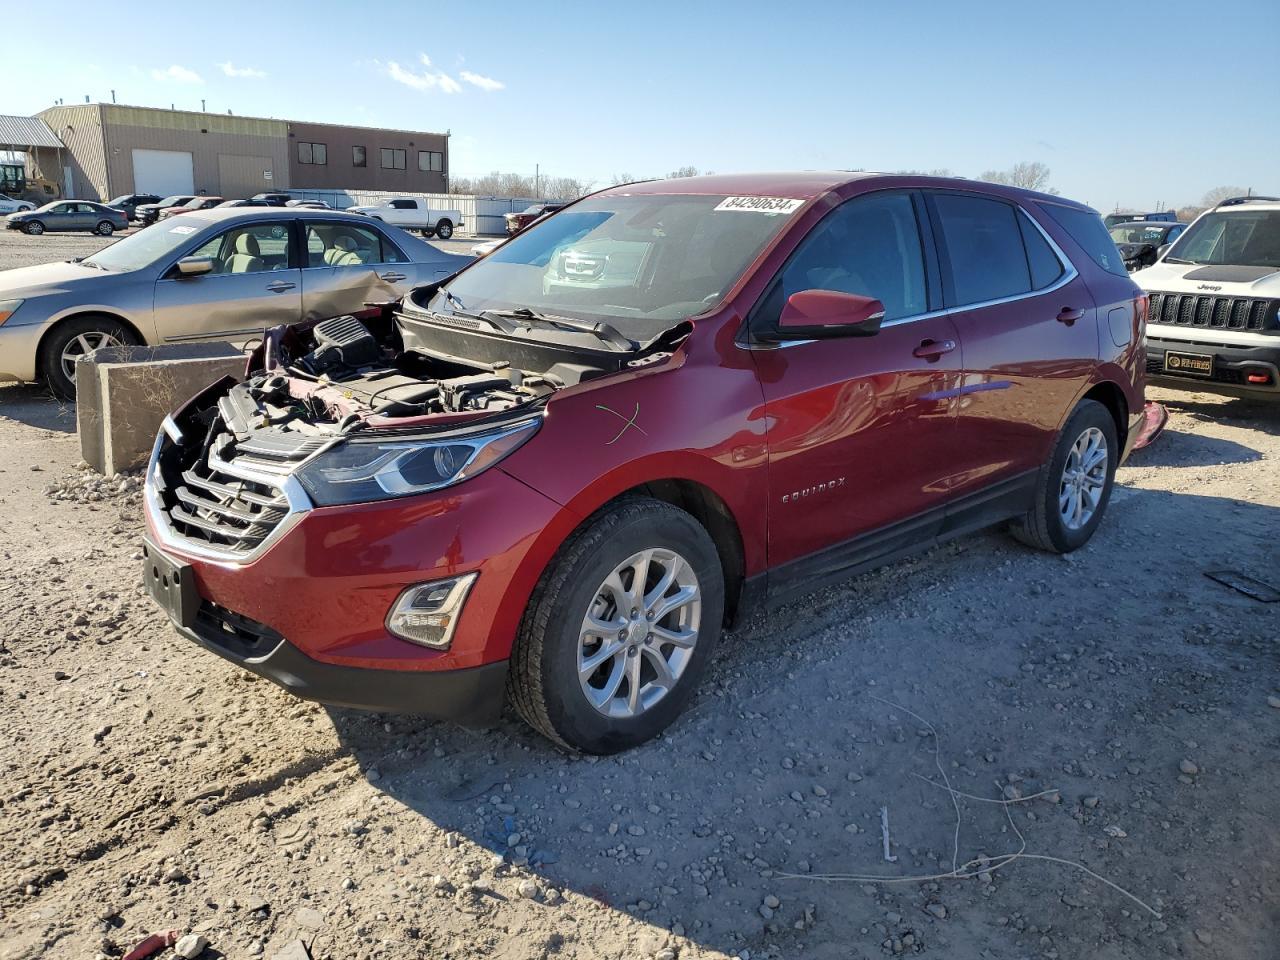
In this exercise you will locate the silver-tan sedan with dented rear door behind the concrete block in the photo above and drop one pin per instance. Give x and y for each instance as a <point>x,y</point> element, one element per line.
<point>211,276</point>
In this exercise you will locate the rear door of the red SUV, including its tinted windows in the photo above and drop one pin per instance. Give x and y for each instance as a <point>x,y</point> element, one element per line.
<point>1030,330</point>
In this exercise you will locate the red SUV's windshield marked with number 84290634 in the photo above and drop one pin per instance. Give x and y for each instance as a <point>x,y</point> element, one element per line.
<point>641,263</point>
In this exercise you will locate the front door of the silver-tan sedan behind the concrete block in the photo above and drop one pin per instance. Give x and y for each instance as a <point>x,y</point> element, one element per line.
<point>255,285</point>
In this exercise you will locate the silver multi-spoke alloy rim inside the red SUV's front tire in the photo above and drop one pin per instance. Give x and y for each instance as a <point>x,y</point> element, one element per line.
<point>639,634</point>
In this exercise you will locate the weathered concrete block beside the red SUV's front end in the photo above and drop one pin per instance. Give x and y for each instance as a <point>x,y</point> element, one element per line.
<point>124,394</point>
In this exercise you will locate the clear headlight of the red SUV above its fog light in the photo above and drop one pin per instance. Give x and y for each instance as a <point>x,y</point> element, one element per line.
<point>365,470</point>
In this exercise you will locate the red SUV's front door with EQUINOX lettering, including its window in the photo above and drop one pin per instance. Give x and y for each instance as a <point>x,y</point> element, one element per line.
<point>862,429</point>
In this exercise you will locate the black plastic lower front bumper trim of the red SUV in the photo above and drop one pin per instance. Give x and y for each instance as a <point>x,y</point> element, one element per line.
<point>473,697</point>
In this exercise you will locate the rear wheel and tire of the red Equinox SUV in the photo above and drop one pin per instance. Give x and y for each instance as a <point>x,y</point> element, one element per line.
<point>1075,487</point>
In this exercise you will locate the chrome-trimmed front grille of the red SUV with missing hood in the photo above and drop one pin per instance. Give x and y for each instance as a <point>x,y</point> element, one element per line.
<point>214,504</point>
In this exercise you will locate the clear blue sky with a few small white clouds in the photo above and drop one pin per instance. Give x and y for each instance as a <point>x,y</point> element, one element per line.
<point>1126,103</point>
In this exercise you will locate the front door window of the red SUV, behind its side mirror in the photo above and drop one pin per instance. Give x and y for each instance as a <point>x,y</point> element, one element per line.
<point>870,246</point>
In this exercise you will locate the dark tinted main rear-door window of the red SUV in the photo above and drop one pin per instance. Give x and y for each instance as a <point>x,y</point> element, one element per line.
<point>984,248</point>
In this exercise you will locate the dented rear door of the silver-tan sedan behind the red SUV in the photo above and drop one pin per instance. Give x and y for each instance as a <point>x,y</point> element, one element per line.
<point>350,267</point>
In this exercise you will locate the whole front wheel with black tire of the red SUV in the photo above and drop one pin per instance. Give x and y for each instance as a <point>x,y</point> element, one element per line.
<point>620,629</point>
